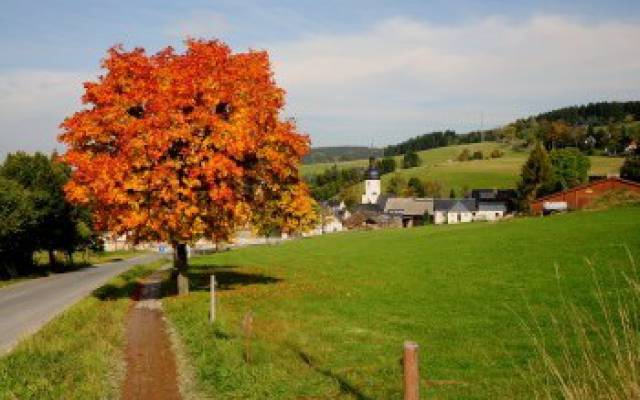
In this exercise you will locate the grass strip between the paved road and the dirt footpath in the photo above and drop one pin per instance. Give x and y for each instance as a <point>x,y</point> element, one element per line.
<point>78,355</point>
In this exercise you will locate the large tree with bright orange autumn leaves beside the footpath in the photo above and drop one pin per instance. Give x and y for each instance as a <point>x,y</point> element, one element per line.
<point>181,146</point>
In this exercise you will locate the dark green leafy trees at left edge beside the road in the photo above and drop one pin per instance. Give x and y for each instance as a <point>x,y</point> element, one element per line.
<point>35,214</point>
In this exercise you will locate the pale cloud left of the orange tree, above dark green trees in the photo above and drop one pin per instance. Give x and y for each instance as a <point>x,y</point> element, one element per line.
<point>32,105</point>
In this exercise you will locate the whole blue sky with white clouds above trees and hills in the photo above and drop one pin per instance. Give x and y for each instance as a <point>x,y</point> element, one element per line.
<point>355,72</point>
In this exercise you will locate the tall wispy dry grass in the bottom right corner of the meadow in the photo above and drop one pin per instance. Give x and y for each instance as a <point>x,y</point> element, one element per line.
<point>591,355</point>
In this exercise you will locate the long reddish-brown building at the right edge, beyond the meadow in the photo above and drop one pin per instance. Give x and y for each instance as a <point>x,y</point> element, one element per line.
<point>581,196</point>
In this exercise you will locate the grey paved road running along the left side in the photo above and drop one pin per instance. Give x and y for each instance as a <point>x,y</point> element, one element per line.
<point>25,307</point>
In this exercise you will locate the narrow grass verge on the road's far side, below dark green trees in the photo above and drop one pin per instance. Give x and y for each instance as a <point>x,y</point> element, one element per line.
<point>81,259</point>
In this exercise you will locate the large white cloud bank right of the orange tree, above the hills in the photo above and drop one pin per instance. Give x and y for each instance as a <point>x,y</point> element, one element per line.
<point>402,76</point>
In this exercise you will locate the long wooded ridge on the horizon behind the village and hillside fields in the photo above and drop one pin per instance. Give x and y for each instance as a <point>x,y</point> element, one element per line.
<point>607,126</point>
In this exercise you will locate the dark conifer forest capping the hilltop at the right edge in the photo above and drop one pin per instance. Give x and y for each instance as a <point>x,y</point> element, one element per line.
<point>594,113</point>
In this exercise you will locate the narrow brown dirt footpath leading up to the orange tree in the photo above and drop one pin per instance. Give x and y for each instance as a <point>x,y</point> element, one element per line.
<point>151,364</point>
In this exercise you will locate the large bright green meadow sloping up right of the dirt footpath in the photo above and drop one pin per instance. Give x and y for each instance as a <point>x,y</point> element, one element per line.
<point>332,312</point>
